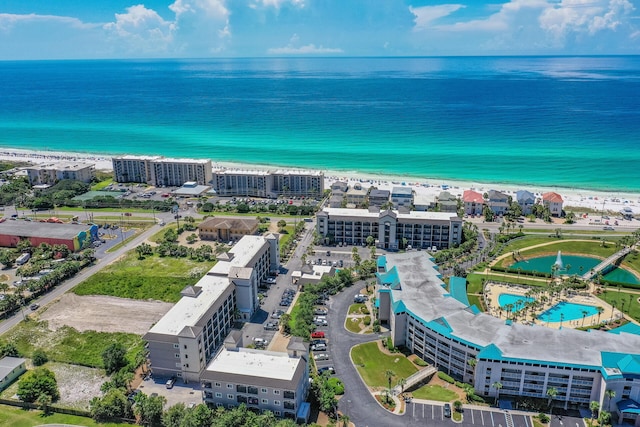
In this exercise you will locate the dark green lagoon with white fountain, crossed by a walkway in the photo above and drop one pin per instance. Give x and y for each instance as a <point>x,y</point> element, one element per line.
<point>544,264</point>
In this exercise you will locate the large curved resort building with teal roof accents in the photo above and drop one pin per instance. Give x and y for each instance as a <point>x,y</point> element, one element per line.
<point>527,360</point>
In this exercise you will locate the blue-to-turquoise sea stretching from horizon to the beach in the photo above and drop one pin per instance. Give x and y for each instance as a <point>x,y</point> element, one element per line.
<point>571,122</point>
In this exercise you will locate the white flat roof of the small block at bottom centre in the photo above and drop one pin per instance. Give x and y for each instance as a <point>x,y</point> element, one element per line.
<point>255,363</point>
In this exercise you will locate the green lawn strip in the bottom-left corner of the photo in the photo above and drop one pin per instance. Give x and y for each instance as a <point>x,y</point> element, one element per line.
<point>11,416</point>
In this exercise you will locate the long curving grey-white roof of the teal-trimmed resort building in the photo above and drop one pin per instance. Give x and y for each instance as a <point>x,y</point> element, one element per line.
<point>421,291</point>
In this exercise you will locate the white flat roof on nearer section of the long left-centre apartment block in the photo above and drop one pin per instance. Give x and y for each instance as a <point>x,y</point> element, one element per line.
<point>189,310</point>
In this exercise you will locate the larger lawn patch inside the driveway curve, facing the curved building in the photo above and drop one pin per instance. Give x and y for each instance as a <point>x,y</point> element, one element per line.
<point>372,365</point>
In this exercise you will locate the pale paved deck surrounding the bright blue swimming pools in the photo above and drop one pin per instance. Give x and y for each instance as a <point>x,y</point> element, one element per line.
<point>494,290</point>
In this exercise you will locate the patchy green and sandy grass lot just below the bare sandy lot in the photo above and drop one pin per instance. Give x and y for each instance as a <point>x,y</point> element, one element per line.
<point>67,345</point>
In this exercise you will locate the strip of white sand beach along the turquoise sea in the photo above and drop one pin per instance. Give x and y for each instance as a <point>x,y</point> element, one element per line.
<point>598,200</point>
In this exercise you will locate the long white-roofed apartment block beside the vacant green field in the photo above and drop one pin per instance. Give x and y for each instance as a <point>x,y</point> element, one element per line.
<point>188,336</point>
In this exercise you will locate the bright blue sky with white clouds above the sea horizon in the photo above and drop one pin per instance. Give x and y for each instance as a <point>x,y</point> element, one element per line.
<point>72,29</point>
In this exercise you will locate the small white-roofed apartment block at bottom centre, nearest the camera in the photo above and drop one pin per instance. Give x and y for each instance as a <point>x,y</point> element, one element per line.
<point>261,380</point>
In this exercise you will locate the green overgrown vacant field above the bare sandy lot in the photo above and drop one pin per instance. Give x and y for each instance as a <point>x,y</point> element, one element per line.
<point>154,277</point>
